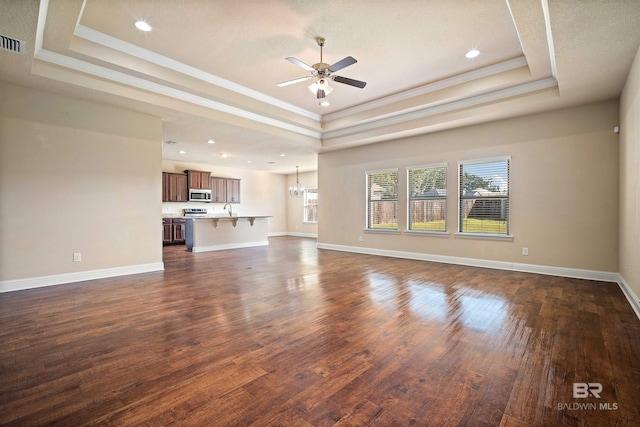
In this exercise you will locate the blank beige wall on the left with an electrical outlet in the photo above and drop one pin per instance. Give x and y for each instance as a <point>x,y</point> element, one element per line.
<point>76,177</point>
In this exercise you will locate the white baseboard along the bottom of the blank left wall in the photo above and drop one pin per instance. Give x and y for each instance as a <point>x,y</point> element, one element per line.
<point>79,276</point>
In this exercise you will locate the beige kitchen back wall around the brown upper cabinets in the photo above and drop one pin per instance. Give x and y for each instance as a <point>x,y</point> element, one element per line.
<point>261,193</point>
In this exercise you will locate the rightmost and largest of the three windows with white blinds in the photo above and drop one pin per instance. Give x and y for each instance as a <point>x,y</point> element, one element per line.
<point>484,196</point>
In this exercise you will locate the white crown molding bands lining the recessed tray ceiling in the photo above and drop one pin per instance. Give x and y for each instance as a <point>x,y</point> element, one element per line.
<point>377,122</point>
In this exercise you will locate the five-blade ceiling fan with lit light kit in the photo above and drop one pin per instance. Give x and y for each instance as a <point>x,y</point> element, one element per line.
<point>323,72</point>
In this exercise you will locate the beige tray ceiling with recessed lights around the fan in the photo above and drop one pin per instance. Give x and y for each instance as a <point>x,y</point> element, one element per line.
<point>209,69</point>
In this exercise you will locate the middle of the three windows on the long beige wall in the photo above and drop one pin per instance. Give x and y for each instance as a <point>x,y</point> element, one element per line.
<point>427,197</point>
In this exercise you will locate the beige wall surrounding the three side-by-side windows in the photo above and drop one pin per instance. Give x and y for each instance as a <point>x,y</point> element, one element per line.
<point>564,189</point>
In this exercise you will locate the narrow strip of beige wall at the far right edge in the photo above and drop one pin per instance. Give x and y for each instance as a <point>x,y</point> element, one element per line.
<point>629,265</point>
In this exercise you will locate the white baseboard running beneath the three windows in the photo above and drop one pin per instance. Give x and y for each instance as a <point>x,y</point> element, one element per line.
<point>603,276</point>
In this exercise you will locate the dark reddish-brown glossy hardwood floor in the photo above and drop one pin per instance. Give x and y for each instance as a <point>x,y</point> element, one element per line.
<point>288,335</point>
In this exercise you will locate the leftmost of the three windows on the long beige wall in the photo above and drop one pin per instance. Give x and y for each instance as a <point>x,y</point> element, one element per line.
<point>382,200</point>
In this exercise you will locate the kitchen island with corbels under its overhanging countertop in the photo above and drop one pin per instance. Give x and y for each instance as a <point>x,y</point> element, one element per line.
<point>219,232</point>
